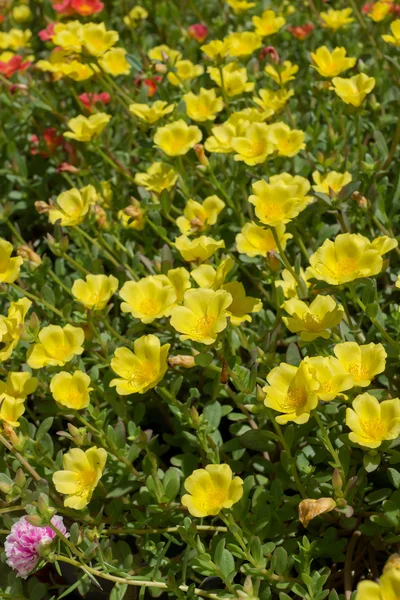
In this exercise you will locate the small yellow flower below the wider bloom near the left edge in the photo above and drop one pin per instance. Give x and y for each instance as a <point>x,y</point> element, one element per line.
<point>71,390</point>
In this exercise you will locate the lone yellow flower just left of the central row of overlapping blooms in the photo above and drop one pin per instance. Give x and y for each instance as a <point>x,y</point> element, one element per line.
<point>96,291</point>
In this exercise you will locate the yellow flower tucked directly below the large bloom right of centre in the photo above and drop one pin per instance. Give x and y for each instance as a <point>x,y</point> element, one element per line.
<point>254,240</point>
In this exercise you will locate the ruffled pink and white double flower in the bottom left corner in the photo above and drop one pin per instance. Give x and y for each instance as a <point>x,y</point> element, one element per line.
<point>23,543</point>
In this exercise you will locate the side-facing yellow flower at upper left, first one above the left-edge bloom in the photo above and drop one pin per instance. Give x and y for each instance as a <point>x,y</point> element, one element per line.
<point>72,206</point>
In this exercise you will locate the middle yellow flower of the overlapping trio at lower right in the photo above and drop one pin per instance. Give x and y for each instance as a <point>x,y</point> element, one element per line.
<point>331,376</point>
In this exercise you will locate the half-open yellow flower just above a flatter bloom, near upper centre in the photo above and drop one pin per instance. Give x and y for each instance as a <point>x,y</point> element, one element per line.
<point>198,217</point>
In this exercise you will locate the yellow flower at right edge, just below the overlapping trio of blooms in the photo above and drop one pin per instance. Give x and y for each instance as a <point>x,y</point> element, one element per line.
<point>371,422</point>
